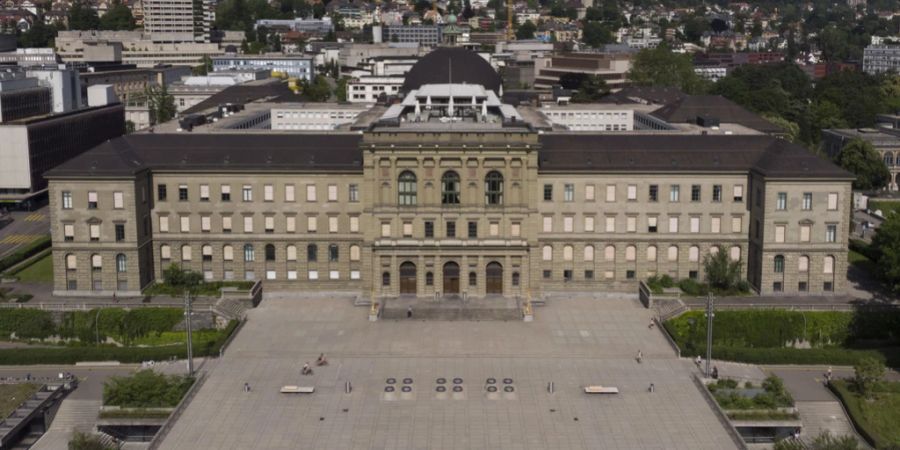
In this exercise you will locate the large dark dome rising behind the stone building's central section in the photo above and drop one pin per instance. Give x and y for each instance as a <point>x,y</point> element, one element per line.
<point>452,64</point>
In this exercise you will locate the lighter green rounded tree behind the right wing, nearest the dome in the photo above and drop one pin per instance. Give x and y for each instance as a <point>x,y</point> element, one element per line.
<point>661,67</point>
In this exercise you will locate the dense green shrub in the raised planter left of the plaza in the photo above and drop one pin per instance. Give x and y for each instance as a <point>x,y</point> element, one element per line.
<point>146,389</point>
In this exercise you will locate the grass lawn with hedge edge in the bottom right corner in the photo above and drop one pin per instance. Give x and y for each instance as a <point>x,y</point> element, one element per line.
<point>877,418</point>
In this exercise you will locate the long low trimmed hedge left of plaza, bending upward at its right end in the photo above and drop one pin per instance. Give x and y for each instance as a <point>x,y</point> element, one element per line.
<point>72,355</point>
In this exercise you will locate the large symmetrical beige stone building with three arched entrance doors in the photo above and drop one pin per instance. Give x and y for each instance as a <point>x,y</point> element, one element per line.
<point>449,192</point>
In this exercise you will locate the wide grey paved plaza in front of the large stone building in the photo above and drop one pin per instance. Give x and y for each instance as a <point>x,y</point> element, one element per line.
<point>572,342</point>
